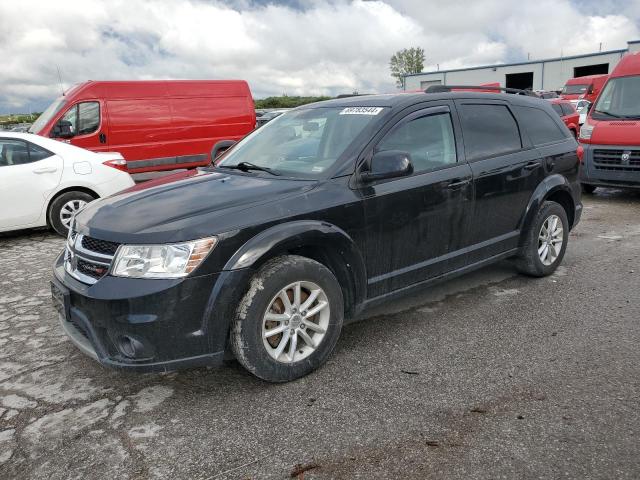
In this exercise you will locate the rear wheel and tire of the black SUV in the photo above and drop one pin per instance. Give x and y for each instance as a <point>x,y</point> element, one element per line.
<point>545,241</point>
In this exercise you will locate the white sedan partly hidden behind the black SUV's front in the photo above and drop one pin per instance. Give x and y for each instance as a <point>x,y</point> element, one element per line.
<point>45,182</point>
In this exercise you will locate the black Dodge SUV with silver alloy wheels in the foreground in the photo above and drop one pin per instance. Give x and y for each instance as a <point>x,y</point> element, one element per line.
<point>323,212</point>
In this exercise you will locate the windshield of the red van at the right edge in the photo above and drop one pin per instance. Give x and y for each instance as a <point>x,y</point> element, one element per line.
<point>620,98</point>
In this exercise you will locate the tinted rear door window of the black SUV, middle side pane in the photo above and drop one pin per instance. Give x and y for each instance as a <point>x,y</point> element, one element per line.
<point>489,130</point>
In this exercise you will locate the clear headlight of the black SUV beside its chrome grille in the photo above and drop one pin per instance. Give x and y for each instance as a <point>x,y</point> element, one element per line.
<point>161,261</point>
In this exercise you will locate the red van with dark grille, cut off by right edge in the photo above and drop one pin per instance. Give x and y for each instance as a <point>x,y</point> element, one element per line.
<point>611,133</point>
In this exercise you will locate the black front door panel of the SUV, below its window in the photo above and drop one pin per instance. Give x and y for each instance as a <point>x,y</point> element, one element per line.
<point>412,224</point>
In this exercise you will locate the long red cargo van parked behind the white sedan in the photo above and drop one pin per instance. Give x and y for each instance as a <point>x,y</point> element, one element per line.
<point>155,125</point>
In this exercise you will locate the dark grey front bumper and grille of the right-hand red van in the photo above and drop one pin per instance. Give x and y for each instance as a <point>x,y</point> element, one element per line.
<point>603,166</point>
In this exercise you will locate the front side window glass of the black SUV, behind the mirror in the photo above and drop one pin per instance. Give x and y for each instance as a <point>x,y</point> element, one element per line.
<point>429,140</point>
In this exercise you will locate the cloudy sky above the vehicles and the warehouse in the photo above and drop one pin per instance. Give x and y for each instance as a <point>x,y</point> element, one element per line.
<point>293,47</point>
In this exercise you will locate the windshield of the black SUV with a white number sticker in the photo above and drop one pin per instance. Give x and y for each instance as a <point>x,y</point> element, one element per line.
<point>302,143</point>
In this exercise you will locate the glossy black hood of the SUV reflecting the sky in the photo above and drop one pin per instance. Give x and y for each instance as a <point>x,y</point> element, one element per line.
<point>186,206</point>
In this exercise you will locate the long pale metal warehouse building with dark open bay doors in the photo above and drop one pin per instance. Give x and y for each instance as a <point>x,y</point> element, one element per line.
<point>549,74</point>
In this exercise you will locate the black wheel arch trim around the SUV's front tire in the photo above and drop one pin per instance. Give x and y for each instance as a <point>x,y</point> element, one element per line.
<point>331,259</point>
